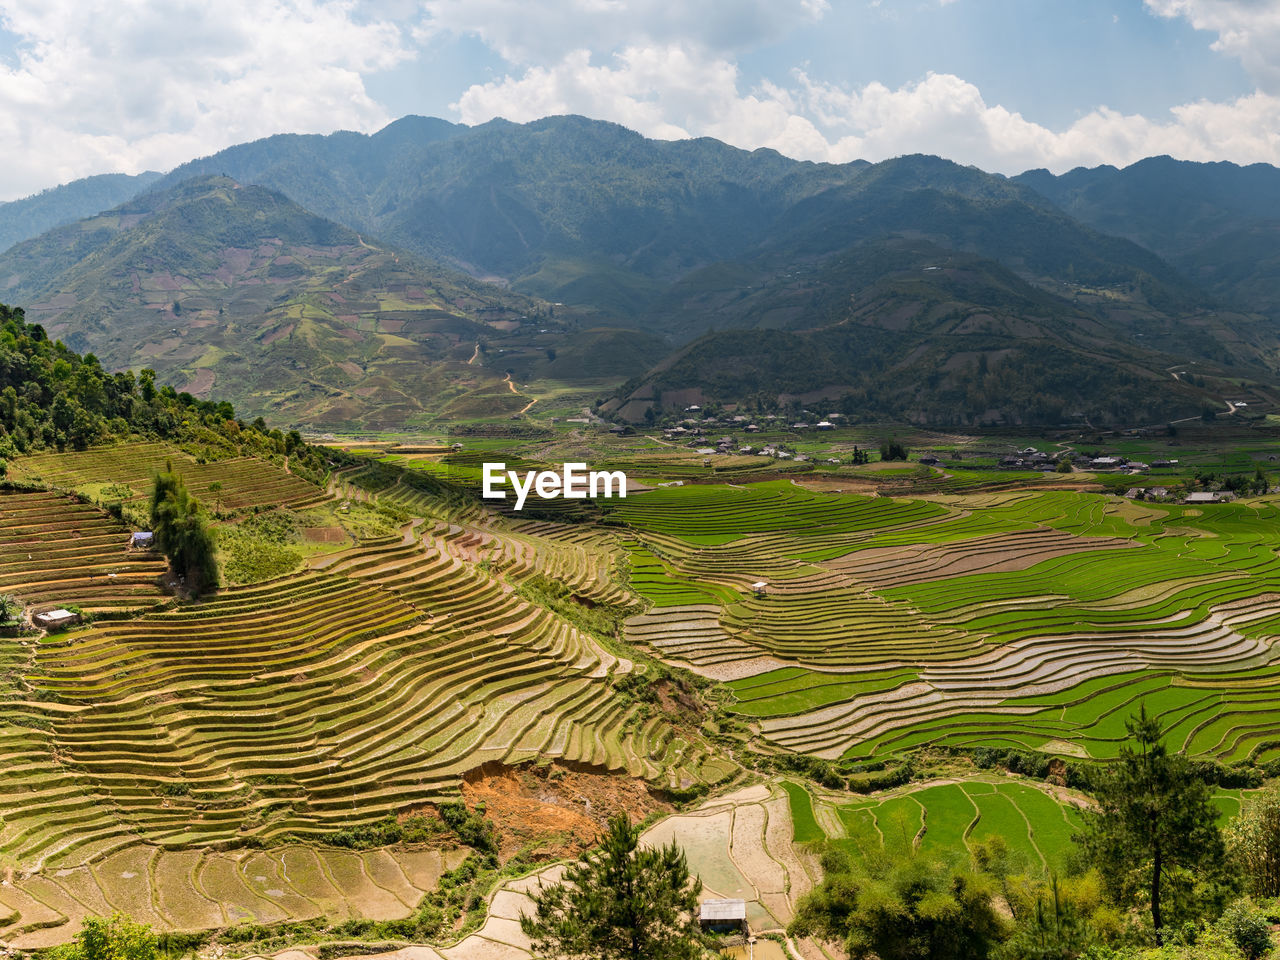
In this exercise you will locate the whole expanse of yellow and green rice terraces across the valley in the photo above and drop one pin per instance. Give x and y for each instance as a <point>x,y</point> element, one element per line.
<point>191,764</point>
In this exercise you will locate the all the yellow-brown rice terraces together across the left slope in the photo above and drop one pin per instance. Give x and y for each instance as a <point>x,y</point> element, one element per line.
<point>276,714</point>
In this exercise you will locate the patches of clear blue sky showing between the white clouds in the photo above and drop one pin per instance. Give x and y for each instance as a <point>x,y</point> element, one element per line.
<point>1053,62</point>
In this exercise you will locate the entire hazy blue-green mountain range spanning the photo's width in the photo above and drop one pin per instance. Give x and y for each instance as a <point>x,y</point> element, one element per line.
<point>426,272</point>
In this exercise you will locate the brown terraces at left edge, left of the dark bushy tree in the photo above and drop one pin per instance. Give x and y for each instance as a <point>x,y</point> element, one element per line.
<point>56,552</point>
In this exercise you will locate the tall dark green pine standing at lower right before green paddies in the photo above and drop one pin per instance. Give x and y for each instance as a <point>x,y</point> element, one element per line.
<point>1154,820</point>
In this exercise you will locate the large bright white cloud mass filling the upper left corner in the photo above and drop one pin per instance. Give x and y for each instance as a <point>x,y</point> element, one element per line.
<point>111,85</point>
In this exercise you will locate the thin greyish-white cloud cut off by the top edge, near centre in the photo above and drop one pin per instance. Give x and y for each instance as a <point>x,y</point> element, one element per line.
<point>541,31</point>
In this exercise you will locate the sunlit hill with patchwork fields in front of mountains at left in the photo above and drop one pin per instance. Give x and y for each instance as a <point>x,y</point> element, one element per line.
<point>237,292</point>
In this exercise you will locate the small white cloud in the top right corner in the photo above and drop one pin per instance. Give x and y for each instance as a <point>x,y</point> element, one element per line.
<point>1247,30</point>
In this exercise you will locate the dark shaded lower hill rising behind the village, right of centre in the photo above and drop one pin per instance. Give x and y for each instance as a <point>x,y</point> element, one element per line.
<point>911,331</point>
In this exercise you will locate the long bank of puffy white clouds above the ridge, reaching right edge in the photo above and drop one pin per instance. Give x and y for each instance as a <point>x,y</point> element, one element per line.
<point>673,92</point>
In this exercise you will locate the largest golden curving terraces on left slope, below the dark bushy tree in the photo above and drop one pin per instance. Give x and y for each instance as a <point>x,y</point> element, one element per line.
<point>307,705</point>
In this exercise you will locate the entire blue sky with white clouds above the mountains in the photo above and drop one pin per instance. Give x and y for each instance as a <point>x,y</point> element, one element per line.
<point>98,86</point>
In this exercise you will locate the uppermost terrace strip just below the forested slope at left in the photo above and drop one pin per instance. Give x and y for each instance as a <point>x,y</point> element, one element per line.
<point>246,482</point>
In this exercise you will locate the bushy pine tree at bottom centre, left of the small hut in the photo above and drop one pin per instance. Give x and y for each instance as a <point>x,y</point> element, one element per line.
<point>620,903</point>
